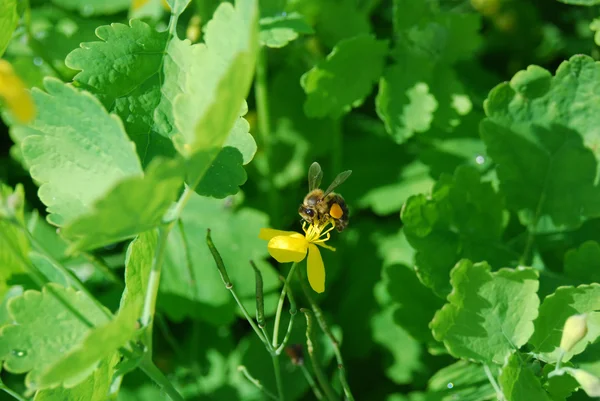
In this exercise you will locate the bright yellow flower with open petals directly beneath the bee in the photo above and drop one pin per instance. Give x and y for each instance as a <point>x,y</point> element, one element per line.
<point>290,246</point>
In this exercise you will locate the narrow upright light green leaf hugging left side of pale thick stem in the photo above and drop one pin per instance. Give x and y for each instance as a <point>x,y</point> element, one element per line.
<point>138,263</point>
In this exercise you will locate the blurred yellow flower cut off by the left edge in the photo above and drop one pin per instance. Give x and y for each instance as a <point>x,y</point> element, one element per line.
<point>16,97</point>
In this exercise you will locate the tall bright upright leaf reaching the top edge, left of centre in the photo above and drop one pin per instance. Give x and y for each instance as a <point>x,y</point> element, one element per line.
<point>219,78</point>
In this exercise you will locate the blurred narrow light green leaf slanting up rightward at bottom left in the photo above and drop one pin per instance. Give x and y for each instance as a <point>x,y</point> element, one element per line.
<point>80,361</point>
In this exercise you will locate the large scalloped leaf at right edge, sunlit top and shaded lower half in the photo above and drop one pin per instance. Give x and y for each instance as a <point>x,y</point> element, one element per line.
<point>536,133</point>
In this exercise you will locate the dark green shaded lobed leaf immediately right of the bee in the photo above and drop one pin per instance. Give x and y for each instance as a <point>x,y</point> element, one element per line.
<point>462,218</point>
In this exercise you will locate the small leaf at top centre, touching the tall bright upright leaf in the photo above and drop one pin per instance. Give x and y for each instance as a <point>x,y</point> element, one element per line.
<point>280,30</point>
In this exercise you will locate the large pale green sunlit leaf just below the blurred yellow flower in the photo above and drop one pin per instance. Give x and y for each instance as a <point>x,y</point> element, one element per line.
<point>76,150</point>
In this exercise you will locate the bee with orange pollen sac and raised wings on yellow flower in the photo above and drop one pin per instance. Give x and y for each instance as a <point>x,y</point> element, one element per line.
<point>319,206</point>
